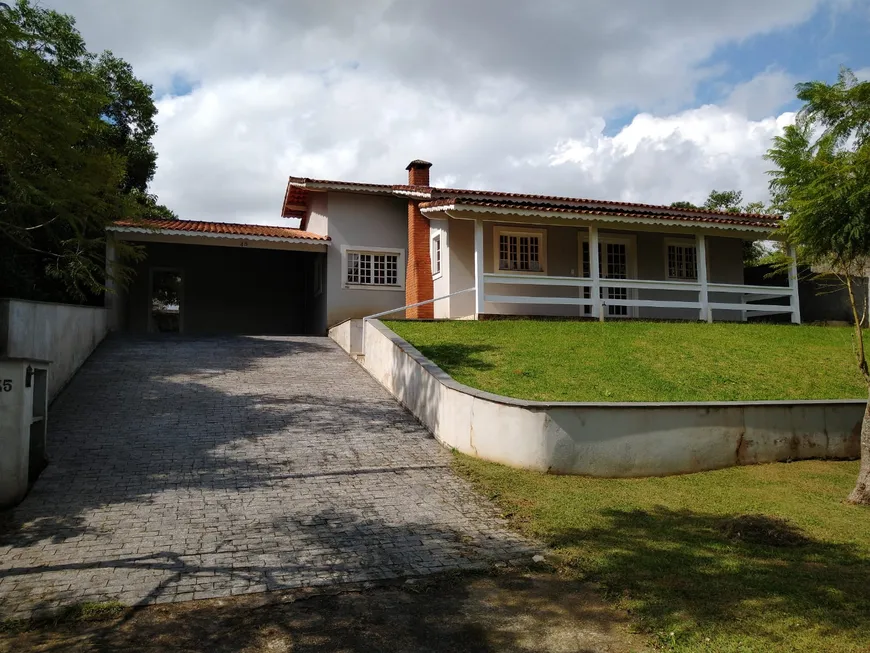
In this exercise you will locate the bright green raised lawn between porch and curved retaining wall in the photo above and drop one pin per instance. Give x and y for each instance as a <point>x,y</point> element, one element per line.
<point>642,361</point>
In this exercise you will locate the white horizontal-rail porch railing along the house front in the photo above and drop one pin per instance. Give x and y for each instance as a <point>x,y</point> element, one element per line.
<point>711,292</point>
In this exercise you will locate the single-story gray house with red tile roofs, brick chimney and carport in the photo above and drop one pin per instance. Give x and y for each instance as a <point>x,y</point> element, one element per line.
<point>361,249</point>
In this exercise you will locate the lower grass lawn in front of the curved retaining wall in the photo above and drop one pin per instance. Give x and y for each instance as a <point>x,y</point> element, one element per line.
<point>705,562</point>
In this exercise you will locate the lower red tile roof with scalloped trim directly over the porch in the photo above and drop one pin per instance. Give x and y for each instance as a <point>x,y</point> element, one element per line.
<point>715,217</point>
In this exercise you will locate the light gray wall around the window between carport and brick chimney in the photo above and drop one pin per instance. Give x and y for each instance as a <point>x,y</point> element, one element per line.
<point>361,221</point>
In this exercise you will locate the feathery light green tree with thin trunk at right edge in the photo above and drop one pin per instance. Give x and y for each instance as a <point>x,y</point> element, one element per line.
<point>822,182</point>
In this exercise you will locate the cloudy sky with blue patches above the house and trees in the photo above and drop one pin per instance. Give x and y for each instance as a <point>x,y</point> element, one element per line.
<point>650,101</point>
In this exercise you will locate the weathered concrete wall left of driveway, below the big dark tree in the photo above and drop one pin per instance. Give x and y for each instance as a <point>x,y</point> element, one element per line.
<point>61,333</point>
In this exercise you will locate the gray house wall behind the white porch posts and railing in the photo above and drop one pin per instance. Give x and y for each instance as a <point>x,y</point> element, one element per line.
<point>563,259</point>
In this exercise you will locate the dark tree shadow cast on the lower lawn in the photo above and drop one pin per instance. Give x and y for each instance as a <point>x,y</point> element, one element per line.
<point>749,574</point>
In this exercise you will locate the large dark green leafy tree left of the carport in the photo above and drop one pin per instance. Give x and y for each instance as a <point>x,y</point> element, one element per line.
<point>75,155</point>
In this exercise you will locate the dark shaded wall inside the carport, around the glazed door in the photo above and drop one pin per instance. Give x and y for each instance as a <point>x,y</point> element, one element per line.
<point>233,290</point>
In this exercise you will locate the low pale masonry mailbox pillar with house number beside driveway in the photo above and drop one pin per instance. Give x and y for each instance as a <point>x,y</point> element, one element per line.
<point>23,425</point>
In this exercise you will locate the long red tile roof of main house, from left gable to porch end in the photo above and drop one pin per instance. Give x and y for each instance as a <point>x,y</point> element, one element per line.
<point>526,201</point>
